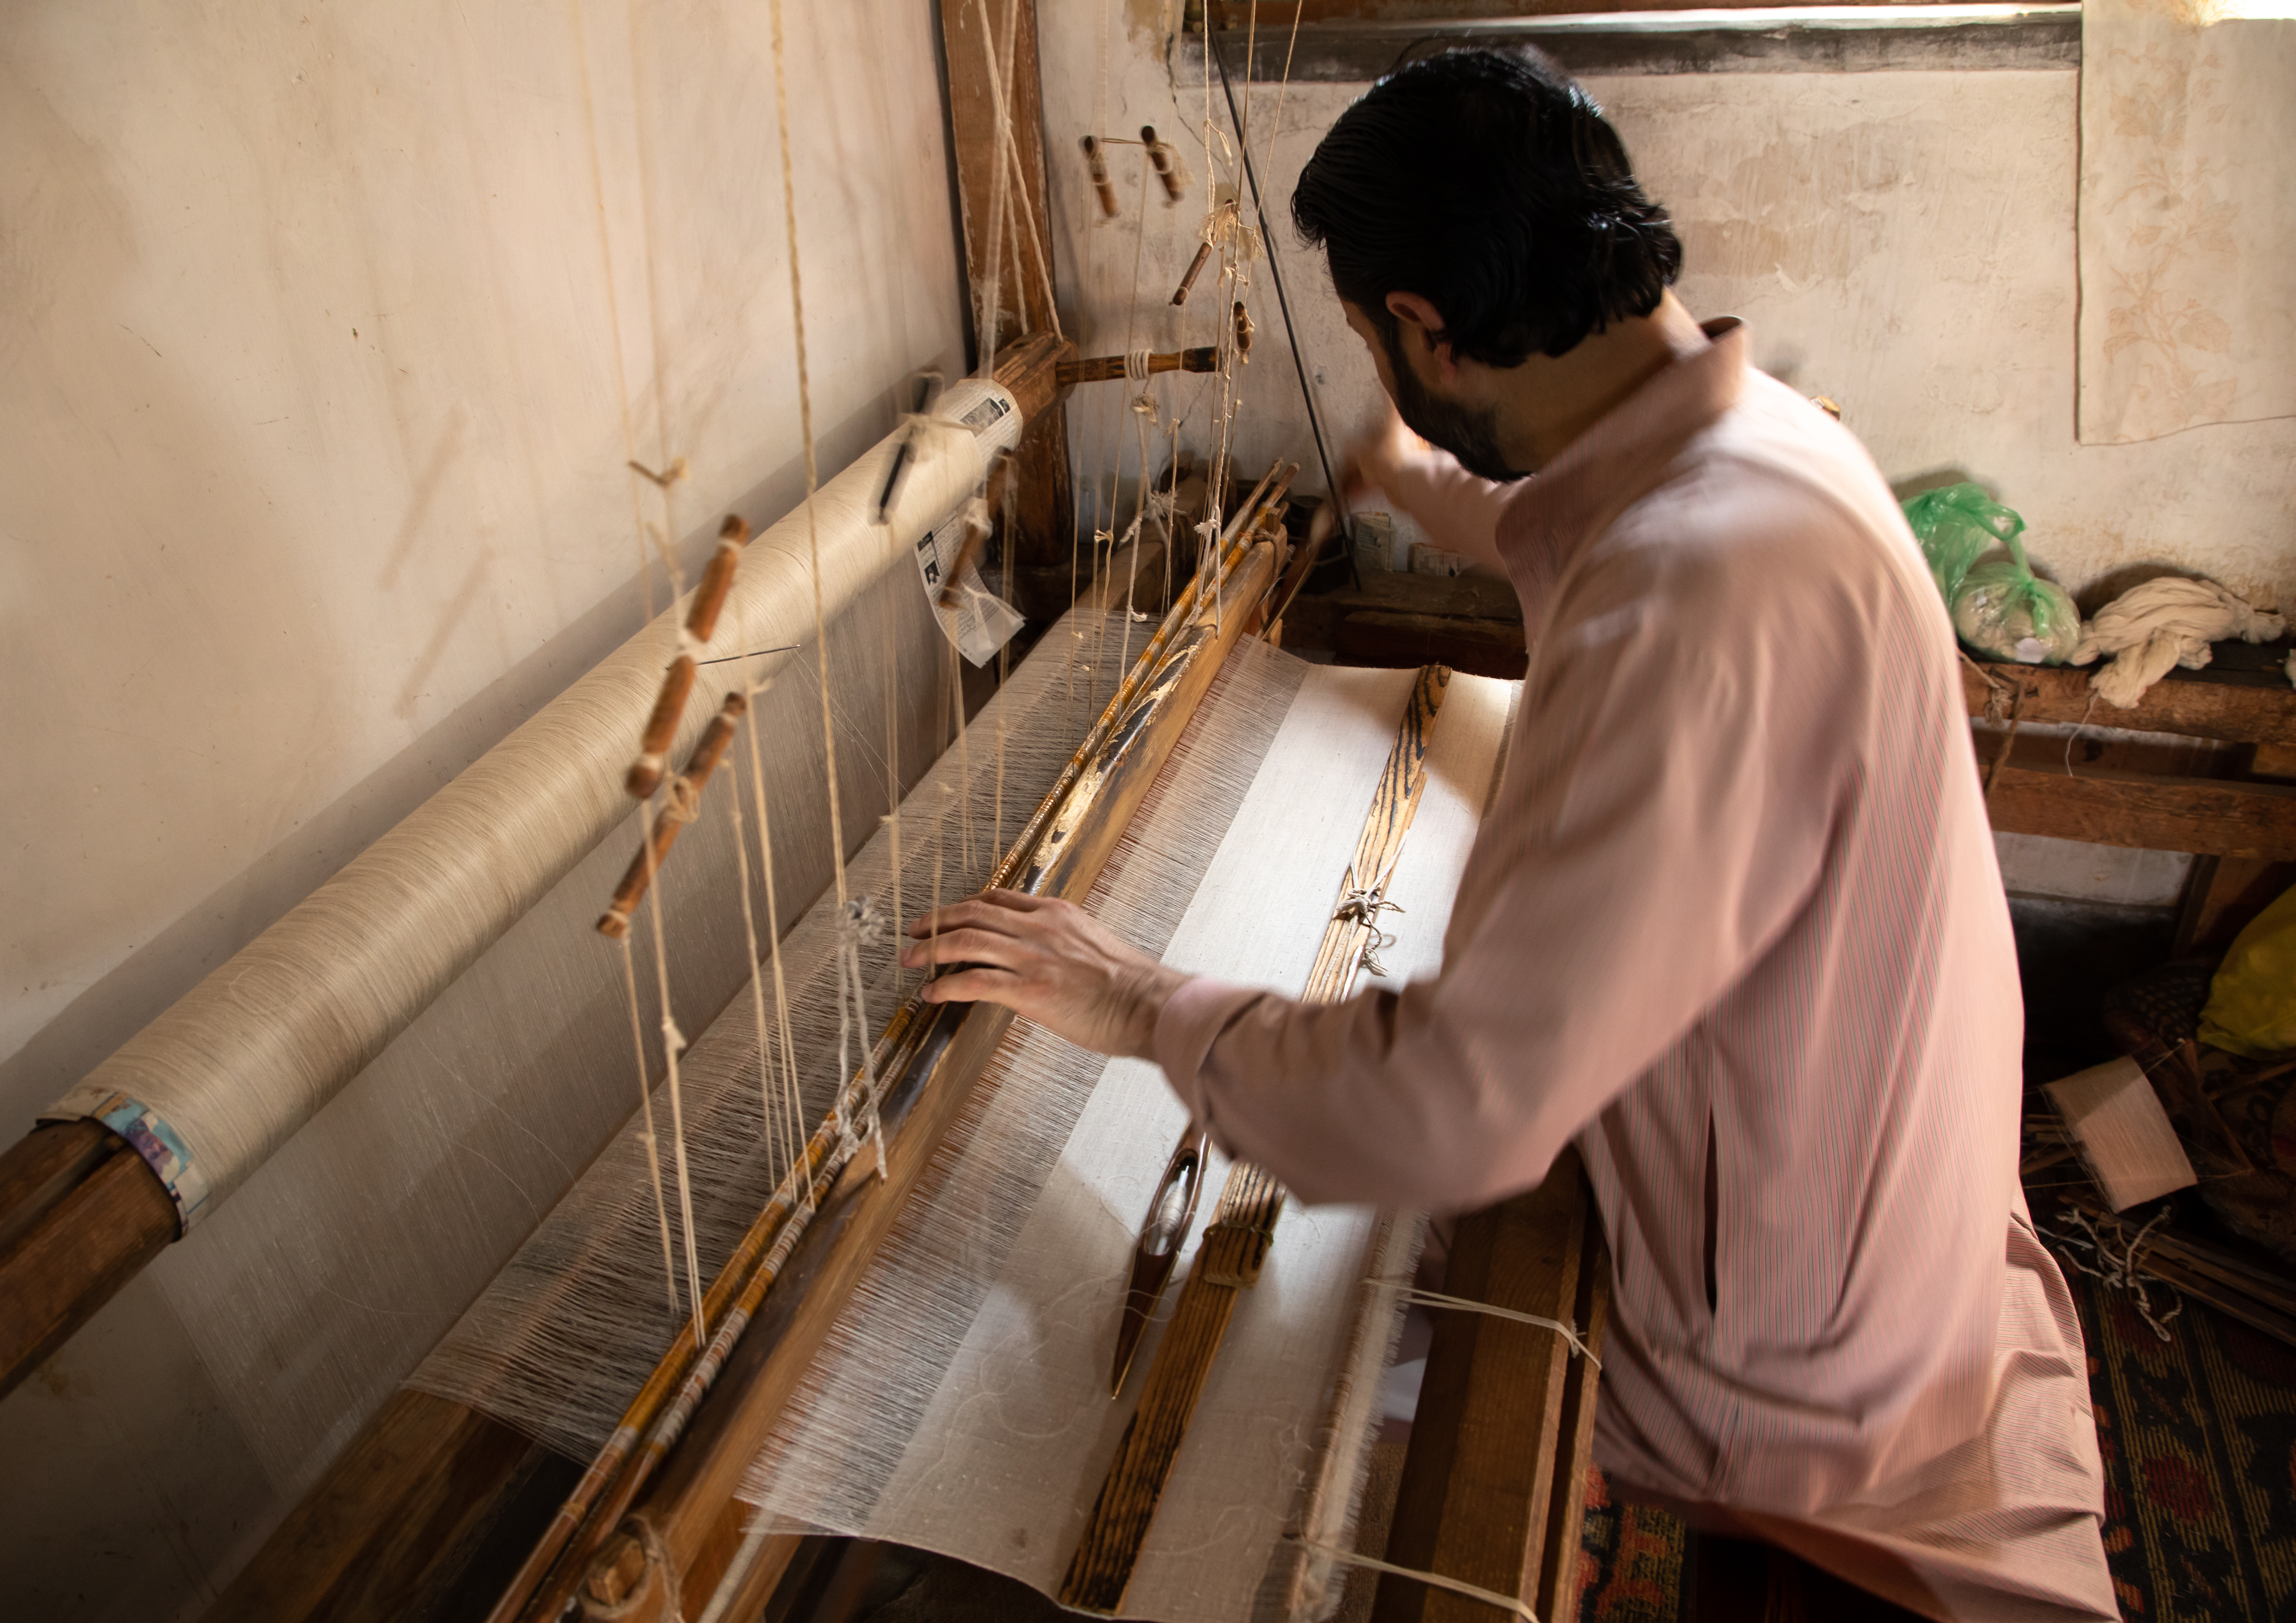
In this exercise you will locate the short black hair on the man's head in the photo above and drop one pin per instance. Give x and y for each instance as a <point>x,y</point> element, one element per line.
<point>1494,187</point>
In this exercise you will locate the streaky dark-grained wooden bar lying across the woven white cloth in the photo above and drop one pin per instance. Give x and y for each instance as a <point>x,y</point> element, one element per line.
<point>1236,1243</point>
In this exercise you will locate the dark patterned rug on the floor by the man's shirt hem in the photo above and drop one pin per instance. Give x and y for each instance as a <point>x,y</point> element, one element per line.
<point>2198,1436</point>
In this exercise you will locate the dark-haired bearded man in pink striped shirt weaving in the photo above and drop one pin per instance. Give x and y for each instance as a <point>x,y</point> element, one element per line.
<point>1732,922</point>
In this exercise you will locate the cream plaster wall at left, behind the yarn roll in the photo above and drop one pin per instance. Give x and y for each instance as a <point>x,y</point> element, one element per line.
<point>325,336</point>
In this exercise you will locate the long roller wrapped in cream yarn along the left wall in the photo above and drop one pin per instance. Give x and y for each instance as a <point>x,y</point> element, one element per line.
<point>249,1055</point>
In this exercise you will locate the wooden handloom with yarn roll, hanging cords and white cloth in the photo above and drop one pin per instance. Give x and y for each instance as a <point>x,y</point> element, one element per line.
<point>890,1330</point>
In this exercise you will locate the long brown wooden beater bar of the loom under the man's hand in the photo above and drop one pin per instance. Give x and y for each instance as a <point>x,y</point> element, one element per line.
<point>926,1062</point>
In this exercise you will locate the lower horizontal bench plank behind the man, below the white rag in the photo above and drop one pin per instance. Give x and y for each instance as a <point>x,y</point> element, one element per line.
<point>2205,816</point>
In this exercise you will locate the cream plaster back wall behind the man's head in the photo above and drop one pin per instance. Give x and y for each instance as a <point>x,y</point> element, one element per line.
<point>1902,242</point>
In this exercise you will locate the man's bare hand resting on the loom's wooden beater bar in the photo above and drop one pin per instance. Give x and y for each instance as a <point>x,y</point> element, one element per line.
<point>1050,963</point>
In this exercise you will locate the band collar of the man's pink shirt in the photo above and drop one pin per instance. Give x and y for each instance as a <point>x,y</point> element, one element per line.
<point>1622,456</point>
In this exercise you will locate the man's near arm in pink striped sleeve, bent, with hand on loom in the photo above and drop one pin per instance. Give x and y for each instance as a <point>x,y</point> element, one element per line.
<point>1666,816</point>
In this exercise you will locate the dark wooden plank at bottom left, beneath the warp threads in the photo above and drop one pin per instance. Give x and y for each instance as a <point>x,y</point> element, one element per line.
<point>394,1521</point>
